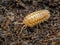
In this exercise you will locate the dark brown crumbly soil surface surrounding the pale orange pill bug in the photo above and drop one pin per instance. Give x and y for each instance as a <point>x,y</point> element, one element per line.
<point>47,33</point>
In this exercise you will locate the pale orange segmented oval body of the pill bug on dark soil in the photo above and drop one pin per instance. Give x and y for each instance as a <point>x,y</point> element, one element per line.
<point>36,17</point>
